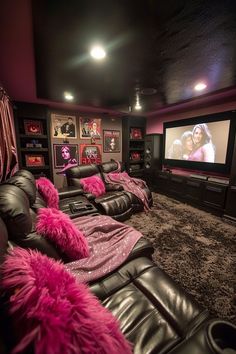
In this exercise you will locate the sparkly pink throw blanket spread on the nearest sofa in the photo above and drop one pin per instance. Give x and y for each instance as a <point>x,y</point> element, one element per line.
<point>110,243</point>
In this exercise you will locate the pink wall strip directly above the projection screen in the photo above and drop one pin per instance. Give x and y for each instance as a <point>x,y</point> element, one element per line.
<point>218,102</point>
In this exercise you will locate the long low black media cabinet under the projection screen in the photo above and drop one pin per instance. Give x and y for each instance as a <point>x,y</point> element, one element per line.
<point>198,191</point>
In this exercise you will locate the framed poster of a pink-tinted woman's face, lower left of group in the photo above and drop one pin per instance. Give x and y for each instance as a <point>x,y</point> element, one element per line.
<point>65,155</point>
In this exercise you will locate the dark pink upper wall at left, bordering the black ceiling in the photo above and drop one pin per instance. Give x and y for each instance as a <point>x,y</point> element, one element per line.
<point>17,68</point>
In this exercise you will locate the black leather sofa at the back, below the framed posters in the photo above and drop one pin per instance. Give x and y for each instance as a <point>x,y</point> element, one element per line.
<point>116,202</point>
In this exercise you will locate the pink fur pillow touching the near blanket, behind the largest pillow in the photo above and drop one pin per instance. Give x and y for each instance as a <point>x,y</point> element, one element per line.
<point>58,228</point>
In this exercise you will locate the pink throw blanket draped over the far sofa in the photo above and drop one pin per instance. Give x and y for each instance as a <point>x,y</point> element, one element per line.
<point>130,184</point>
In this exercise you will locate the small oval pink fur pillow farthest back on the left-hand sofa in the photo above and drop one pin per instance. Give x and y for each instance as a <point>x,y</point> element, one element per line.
<point>48,192</point>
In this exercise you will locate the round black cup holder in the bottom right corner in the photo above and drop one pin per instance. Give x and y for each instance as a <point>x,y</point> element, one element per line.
<point>222,337</point>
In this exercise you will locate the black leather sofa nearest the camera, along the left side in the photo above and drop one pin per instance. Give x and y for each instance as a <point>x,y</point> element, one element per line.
<point>155,313</point>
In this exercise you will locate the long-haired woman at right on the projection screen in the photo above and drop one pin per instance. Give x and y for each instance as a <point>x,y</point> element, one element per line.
<point>203,148</point>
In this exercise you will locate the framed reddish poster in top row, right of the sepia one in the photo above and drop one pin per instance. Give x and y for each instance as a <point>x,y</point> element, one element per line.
<point>90,128</point>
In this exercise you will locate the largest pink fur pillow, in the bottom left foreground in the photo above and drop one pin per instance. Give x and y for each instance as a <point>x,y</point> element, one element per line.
<point>55,313</point>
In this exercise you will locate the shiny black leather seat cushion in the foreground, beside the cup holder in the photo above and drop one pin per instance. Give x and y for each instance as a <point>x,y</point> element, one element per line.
<point>154,312</point>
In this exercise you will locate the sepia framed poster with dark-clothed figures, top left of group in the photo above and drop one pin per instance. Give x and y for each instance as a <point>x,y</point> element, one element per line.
<point>63,126</point>
